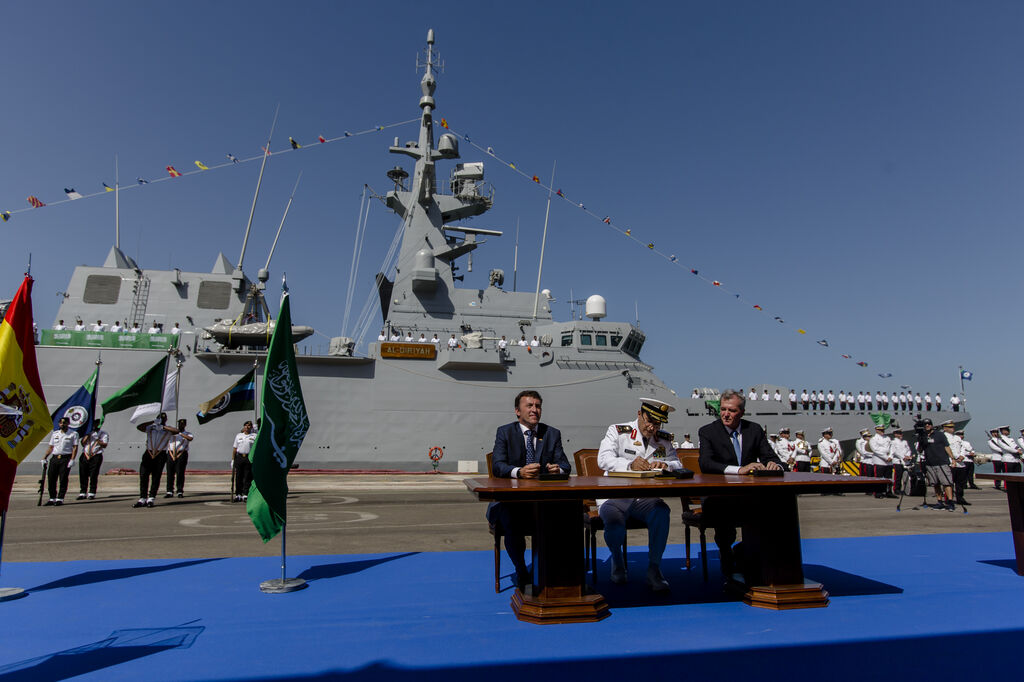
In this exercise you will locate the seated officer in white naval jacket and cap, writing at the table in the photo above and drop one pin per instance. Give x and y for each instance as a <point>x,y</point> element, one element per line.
<point>638,446</point>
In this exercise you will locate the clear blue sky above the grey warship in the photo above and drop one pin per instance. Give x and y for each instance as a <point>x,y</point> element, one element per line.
<point>856,168</point>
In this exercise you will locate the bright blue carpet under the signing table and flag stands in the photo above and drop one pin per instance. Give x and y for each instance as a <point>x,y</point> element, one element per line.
<point>917,607</point>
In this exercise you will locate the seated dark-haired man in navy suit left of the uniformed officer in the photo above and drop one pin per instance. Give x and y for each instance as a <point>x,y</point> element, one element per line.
<point>524,449</point>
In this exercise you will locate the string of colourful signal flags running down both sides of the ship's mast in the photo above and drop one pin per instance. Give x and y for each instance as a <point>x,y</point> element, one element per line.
<point>173,173</point>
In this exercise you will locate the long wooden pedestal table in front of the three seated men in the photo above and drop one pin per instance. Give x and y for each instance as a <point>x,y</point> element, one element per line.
<point>561,593</point>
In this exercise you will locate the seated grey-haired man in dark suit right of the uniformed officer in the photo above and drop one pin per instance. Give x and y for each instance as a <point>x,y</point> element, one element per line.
<point>732,445</point>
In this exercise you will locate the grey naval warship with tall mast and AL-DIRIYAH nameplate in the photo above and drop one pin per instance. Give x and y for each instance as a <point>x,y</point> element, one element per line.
<point>398,406</point>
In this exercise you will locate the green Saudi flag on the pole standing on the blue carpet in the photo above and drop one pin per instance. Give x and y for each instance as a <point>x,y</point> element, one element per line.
<point>284,425</point>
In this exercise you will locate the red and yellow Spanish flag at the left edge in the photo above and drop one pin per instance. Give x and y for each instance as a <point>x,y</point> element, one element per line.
<point>20,390</point>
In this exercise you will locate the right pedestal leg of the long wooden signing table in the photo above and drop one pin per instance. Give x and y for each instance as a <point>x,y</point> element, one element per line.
<point>775,563</point>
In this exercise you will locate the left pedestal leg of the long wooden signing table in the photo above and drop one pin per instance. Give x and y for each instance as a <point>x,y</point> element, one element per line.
<point>561,593</point>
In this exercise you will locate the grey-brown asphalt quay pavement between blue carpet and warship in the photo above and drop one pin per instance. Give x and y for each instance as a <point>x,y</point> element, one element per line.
<point>374,514</point>
